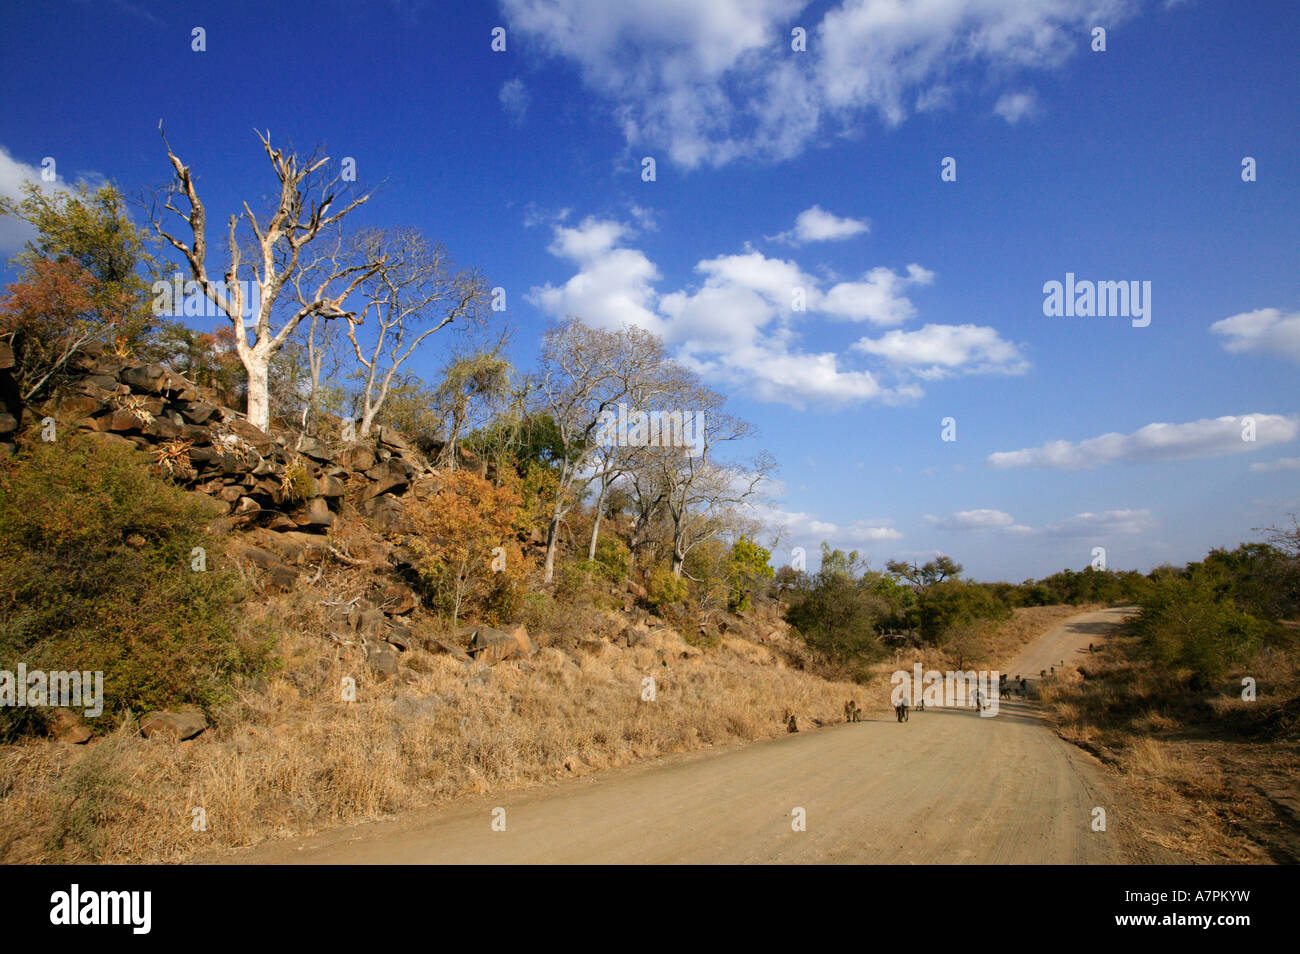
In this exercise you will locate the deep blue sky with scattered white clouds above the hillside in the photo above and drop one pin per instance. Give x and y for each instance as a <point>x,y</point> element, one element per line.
<point>817,171</point>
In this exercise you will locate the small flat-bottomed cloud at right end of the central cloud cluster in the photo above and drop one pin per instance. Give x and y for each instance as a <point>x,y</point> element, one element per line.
<point>939,350</point>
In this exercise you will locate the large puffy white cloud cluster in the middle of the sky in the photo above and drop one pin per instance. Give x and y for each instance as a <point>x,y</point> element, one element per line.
<point>742,323</point>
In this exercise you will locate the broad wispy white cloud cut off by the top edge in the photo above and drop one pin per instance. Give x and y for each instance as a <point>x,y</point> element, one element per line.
<point>710,84</point>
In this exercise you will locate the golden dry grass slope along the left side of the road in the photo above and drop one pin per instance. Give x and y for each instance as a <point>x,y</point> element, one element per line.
<point>294,758</point>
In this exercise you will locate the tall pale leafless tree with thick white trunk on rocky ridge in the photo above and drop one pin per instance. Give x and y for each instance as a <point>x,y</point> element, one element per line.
<point>249,292</point>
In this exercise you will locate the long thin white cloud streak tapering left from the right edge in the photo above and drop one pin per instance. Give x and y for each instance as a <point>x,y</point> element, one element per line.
<point>1204,439</point>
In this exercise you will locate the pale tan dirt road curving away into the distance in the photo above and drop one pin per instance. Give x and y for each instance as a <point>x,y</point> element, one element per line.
<point>947,787</point>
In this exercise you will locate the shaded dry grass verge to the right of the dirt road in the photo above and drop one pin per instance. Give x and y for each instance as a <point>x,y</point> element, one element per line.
<point>1211,777</point>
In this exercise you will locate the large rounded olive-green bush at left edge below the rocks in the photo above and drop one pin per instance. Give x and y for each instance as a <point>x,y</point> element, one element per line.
<point>96,575</point>
